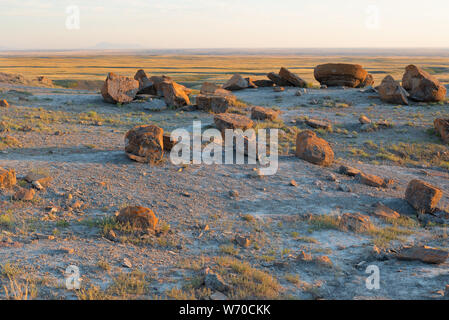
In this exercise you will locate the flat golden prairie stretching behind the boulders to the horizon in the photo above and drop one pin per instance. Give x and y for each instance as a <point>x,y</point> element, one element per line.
<point>194,70</point>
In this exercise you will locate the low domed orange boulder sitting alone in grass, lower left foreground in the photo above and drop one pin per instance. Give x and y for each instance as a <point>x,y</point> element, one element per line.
<point>138,218</point>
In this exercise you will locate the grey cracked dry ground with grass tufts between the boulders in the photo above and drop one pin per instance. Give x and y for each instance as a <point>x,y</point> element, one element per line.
<point>78,140</point>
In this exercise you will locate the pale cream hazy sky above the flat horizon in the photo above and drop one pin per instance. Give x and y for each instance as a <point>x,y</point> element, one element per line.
<point>168,24</point>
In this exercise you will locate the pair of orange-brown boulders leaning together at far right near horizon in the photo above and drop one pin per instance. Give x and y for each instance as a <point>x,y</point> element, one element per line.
<point>417,85</point>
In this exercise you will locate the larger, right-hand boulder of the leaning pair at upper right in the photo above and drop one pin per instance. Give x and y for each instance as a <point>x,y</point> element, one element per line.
<point>422,86</point>
